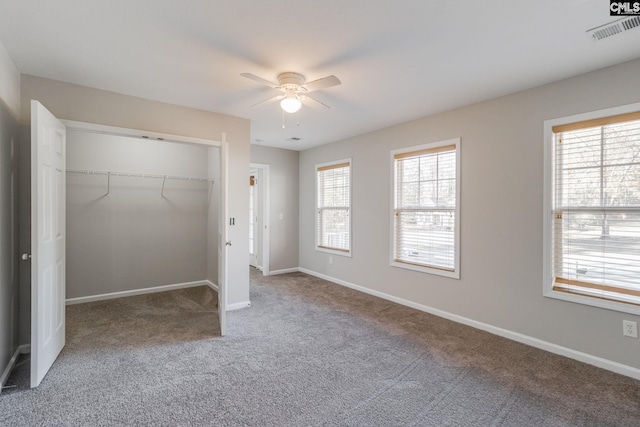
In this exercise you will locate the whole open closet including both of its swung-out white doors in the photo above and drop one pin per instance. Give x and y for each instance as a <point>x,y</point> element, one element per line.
<point>100,245</point>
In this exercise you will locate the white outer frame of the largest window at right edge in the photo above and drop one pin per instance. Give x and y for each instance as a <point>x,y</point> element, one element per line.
<point>549,208</point>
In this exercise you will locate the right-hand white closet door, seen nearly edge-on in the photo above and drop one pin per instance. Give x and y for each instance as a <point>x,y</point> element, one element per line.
<point>223,236</point>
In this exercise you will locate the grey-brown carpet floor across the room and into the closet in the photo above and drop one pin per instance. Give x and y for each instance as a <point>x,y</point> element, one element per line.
<point>307,353</point>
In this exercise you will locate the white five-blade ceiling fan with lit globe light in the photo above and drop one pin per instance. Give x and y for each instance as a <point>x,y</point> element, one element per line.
<point>294,89</point>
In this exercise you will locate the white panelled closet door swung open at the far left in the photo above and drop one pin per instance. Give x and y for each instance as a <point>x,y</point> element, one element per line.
<point>48,153</point>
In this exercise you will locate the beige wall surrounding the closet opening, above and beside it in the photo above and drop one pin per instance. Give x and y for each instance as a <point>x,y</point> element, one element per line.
<point>84,104</point>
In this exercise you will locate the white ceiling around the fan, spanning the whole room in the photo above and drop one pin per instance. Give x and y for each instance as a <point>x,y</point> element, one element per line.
<point>398,59</point>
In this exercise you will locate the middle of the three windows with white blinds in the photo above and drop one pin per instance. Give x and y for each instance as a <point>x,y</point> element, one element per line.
<point>426,215</point>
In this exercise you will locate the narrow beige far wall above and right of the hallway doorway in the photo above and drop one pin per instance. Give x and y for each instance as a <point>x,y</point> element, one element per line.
<point>283,200</point>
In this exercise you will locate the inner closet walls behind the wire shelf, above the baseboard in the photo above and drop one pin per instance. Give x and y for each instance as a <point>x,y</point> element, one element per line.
<point>127,233</point>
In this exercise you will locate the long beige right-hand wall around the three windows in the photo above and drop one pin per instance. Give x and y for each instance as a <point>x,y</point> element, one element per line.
<point>501,214</point>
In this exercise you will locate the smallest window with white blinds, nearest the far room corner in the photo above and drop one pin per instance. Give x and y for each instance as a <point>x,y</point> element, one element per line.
<point>333,207</point>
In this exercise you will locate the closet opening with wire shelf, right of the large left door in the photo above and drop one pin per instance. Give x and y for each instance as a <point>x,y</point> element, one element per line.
<point>144,215</point>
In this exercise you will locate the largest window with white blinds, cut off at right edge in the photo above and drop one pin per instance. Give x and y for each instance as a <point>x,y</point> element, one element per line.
<point>594,220</point>
